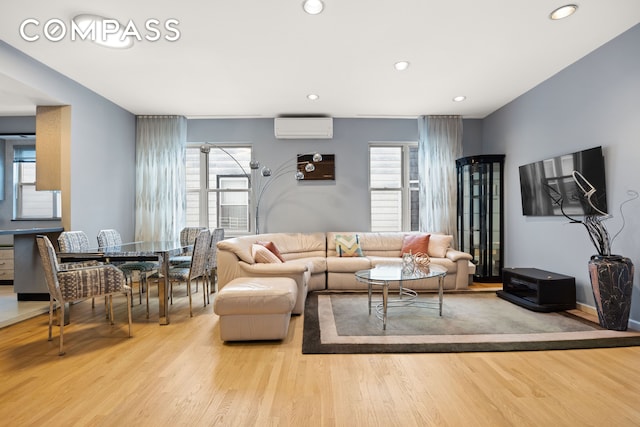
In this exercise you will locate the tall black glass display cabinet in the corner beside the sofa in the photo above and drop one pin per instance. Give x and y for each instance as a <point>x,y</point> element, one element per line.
<point>480,213</point>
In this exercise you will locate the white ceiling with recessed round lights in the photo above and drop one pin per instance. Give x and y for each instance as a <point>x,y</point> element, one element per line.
<point>260,58</point>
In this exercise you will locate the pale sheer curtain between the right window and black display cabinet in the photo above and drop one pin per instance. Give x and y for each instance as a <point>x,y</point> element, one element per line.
<point>440,144</point>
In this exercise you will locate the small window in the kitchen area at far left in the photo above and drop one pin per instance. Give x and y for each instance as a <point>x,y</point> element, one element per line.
<point>29,203</point>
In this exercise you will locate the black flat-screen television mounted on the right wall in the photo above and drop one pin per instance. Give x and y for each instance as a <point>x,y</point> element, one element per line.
<point>545,182</point>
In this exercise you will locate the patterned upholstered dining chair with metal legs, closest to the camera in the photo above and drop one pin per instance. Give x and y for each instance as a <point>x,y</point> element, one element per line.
<point>75,284</point>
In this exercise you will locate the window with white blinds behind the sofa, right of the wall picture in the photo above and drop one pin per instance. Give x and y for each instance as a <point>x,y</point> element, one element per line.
<point>393,186</point>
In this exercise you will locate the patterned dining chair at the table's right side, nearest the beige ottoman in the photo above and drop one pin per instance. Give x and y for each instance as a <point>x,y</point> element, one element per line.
<point>196,270</point>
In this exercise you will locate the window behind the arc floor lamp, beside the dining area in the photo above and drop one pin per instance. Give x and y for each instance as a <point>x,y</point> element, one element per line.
<point>218,187</point>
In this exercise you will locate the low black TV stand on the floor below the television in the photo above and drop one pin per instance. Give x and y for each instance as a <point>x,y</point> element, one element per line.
<point>538,290</point>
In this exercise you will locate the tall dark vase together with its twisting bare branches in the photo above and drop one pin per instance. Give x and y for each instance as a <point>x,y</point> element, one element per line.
<point>611,275</point>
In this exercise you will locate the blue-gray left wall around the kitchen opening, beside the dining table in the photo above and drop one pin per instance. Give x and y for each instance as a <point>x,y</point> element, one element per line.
<point>102,147</point>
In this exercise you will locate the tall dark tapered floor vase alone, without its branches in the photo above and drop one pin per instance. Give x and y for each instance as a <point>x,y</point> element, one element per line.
<point>612,283</point>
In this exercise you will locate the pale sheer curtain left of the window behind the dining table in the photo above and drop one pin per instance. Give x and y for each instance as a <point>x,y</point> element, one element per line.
<point>160,177</point>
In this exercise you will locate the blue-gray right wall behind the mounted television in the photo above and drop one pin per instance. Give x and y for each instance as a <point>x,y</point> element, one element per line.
<point>595,101</point>
